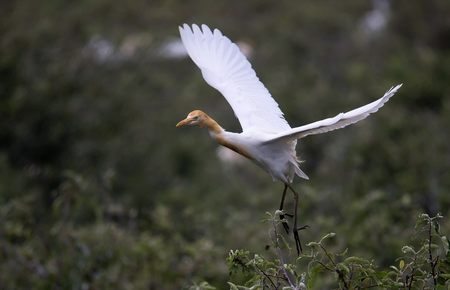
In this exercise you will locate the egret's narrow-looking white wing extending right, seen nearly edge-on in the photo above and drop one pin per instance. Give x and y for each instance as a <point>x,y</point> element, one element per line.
<point>337,122</point>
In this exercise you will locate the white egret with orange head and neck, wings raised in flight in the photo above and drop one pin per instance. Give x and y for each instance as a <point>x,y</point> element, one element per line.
<point>266,138</point>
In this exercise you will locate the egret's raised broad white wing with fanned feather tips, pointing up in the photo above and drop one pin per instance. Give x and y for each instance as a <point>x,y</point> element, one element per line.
<point>226,69</point>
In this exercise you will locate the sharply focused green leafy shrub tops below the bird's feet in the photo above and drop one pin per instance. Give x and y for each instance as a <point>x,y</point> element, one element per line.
<point>320,268</point>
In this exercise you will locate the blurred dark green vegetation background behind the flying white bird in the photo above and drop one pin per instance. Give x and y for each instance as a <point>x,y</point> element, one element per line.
<point>98,190</point>
